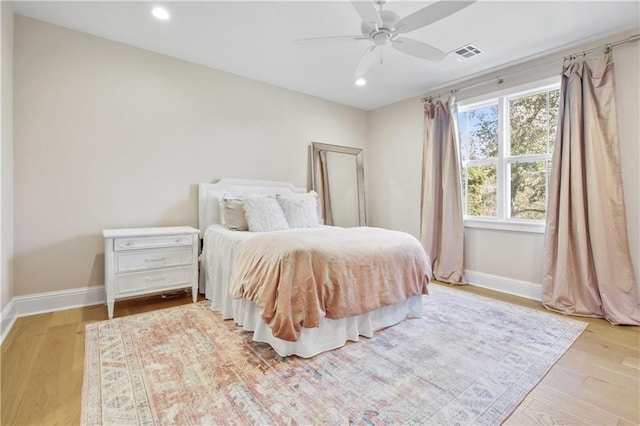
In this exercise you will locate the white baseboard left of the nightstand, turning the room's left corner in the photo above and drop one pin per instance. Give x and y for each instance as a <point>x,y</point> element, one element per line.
<point>22,306</point>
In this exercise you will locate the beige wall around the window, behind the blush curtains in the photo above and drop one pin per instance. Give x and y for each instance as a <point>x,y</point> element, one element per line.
<point>394,162</point>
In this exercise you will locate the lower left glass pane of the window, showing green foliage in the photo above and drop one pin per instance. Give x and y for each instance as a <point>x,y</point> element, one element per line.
<point>481,191</point>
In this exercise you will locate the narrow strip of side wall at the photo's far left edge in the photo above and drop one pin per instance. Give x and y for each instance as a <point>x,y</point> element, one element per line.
<point>6,154</point>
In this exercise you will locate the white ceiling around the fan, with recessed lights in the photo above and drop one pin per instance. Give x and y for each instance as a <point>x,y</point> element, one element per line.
<point>256,39</point>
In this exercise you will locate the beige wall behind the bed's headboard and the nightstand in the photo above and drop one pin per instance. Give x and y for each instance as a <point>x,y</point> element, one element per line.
<point>108,135</point>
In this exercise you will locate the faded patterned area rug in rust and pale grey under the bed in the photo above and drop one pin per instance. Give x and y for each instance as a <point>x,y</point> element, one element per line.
<point>468,360</point>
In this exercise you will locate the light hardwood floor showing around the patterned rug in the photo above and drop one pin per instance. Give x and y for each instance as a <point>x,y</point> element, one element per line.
<point>596,382</point>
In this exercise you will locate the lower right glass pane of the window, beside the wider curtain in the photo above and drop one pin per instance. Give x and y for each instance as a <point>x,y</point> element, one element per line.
<point>528,190</point>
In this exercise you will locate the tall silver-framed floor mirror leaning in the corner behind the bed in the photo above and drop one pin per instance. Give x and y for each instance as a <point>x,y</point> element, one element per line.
<point>338,178</point>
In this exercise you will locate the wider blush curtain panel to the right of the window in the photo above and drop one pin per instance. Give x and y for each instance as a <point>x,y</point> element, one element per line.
<point>587,265</point>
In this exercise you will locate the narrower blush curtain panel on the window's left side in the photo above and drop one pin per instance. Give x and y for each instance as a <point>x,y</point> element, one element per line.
<point>441,226</point>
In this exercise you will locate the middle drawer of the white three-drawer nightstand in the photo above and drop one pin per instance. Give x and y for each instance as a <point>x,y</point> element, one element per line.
<point>159,258</point>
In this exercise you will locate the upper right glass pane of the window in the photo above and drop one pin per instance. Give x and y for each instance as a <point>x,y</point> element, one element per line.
<point>529,124</point>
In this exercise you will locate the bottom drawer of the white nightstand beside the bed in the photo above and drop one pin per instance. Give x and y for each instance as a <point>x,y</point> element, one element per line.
<point>136,281</point>
